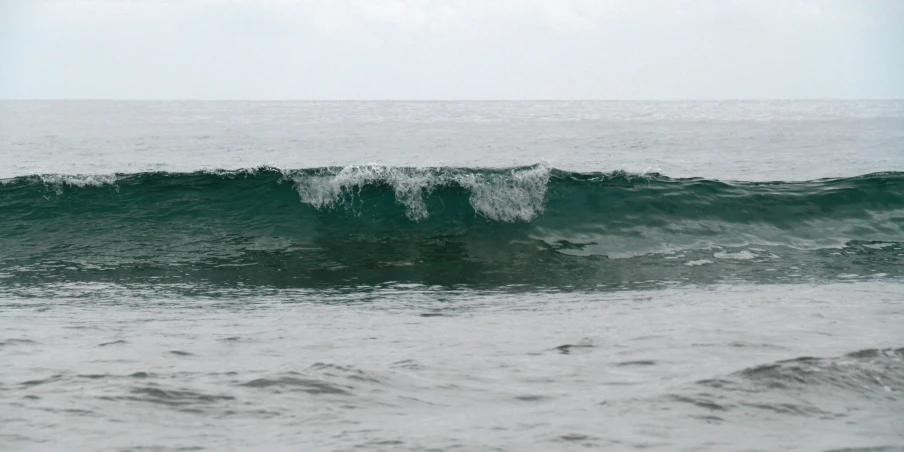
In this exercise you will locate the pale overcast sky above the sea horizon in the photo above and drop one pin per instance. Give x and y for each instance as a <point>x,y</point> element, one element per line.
<point>451,49</point>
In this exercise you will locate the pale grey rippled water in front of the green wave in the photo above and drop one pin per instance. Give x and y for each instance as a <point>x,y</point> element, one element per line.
<point>96,367</point>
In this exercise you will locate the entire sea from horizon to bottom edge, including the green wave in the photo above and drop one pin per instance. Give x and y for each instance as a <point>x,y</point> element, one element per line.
<point>452,275</point>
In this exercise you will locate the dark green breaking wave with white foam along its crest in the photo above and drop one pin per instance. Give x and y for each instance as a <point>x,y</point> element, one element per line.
<point>447,226</point>
